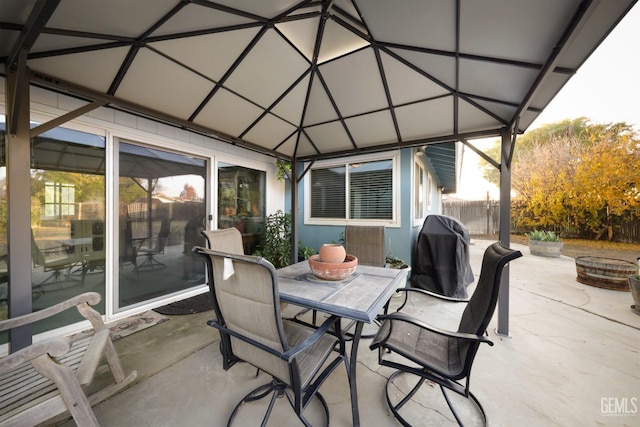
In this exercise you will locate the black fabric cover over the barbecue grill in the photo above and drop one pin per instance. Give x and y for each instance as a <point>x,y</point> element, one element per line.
<point>441,257</point>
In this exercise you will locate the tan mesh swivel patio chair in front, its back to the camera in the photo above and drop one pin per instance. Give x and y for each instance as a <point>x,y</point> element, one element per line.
<point>246,302</point>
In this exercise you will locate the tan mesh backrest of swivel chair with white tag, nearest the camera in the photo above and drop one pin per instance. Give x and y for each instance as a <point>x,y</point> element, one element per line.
<point>246,300</point>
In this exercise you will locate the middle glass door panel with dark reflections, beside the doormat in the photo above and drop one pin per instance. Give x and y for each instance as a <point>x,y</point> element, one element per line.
<point>162,208</point>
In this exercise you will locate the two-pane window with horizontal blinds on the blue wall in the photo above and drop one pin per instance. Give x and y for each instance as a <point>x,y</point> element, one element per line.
<point>357,190</point>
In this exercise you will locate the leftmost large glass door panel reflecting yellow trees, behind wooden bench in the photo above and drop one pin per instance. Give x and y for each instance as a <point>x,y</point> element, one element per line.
<point>67,219</point>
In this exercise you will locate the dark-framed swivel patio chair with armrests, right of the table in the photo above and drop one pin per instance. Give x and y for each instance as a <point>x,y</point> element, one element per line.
<point>443,357</point>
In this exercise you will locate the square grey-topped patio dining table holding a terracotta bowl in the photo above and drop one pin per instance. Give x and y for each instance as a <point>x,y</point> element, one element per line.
<point>359,297</point>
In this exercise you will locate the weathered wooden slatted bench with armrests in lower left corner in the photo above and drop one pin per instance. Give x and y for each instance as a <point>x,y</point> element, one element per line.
<point>50,379</point>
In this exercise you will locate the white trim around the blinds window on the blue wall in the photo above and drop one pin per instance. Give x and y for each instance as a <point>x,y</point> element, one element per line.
<point>394,156</point>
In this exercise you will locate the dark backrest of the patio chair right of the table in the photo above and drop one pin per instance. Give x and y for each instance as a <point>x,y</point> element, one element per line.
<point>482,304</point>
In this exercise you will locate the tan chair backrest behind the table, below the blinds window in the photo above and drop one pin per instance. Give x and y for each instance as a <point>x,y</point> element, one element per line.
<point>366,243</point>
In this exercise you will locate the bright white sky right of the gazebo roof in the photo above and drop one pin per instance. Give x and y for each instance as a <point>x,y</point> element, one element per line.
<point>606,89</point>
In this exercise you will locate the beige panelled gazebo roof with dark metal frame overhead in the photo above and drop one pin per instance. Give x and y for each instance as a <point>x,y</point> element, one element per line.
<point>313,79</point>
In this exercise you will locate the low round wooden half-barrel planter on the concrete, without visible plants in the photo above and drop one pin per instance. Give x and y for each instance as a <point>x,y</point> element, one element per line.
<point>608,273</point>
